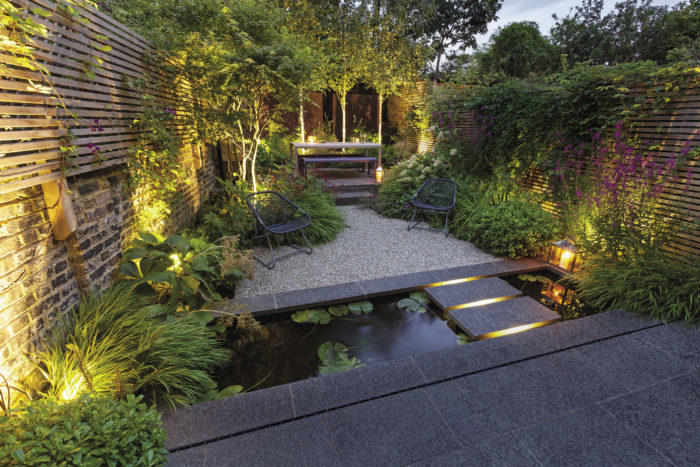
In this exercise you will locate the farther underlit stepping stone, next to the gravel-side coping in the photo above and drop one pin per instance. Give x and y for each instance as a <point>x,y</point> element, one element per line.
<point>465,294</point>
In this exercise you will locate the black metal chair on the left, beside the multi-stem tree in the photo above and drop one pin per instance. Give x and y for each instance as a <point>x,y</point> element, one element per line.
<point>275,214</point>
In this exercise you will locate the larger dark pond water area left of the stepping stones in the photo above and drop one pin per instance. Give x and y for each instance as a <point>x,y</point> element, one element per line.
<point>286,351</point>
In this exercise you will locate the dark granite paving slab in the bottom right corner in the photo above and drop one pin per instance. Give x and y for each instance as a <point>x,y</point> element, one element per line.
<point>665,415</point>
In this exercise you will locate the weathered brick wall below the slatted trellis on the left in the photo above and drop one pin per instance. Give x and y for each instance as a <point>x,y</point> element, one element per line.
<point>41,278</point>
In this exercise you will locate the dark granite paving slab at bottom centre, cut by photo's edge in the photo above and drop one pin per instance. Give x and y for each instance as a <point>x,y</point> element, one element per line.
<point>395,430</point>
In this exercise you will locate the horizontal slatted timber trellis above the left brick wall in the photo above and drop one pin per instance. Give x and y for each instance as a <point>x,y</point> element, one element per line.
<point>86,90</point>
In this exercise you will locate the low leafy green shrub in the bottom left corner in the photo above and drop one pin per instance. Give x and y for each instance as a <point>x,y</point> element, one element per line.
<point>90,430</point>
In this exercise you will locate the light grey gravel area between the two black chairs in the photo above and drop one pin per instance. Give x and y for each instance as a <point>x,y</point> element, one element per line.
<point>370,247</point>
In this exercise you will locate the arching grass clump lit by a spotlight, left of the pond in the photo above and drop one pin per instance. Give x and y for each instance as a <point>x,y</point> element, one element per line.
<point>114,344</point>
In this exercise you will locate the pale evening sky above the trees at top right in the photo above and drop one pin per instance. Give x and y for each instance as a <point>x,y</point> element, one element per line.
<point>541,11</point>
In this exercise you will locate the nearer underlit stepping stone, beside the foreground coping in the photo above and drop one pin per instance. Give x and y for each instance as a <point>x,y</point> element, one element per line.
<point>507,317</point>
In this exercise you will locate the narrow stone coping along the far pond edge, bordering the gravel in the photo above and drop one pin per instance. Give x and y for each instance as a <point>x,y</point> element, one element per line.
<point>261,305</point>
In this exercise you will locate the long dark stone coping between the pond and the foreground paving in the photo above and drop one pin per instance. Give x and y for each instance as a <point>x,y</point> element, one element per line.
<point>203,423</point>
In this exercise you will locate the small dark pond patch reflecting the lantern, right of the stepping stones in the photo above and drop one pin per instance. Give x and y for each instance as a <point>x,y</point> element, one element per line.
<point>556,296</point>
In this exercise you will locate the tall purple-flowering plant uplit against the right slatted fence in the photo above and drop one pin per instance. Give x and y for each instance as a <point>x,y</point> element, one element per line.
<point>610,189</point>
